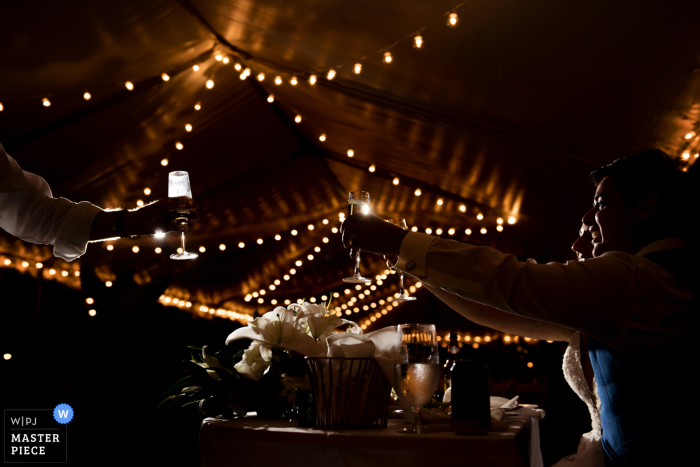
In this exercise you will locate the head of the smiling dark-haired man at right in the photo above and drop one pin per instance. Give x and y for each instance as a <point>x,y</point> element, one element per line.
<point>638,200</point>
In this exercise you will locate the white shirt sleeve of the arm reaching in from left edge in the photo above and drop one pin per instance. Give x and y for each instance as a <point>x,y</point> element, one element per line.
<point>30,212</point>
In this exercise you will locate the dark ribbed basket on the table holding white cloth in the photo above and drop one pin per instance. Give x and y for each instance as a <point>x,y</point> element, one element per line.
<point>349,392</point>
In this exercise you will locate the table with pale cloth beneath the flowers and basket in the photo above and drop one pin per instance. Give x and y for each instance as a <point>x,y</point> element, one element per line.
<point>513,441</point>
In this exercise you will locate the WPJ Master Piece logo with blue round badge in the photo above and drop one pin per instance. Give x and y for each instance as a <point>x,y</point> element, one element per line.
<point>37,435</point>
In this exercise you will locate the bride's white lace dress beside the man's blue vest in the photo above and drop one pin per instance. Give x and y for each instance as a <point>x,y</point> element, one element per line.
<point>590,448</point>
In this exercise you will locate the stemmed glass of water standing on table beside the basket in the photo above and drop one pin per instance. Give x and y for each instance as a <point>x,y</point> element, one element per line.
<point>417,369</point>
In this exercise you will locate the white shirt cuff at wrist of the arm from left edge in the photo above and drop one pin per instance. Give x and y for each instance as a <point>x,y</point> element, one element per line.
<point>74,233</point>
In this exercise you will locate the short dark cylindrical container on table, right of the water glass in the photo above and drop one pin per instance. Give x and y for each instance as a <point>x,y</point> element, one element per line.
<point>471,411</point>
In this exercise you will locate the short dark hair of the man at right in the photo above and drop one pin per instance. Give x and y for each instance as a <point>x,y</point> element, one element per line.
<point>648,171</point>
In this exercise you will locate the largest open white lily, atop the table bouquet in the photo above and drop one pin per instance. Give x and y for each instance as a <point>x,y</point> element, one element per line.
<point>279,328</point>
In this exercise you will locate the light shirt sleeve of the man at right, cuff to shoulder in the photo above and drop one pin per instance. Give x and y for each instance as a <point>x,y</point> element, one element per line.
<point>621,299</point>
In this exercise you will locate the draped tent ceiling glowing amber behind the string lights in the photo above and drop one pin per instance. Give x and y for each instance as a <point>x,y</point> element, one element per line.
<point>506,113</point>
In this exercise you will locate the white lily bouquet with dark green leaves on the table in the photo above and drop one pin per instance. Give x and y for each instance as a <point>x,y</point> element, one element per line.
<point>267,376</point>
